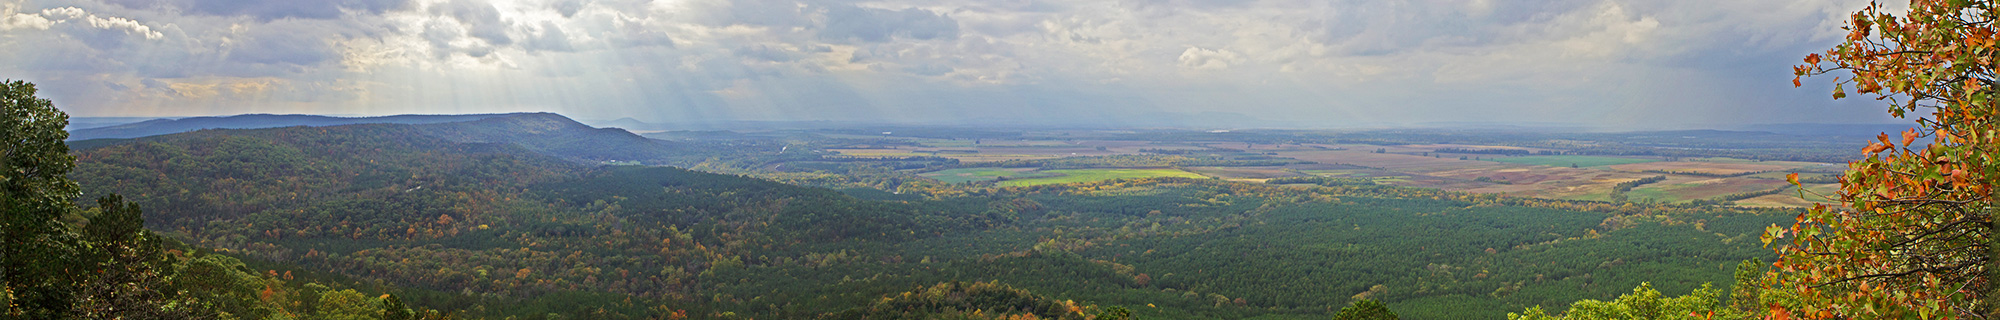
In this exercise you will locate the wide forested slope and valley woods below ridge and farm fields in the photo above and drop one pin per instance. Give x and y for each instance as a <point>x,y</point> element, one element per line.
<point>491,231</point>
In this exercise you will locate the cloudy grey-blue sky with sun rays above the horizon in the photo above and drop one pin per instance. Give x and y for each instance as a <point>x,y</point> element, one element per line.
<point>1115,63</point>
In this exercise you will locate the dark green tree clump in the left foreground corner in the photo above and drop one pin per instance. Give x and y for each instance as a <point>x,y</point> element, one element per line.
<point>49,269</point>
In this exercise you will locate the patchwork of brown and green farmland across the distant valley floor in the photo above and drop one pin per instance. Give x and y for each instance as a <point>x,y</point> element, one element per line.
<point>1537,177</point>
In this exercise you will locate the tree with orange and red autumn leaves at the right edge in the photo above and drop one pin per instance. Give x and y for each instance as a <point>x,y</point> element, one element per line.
<point>1915,233</point>
